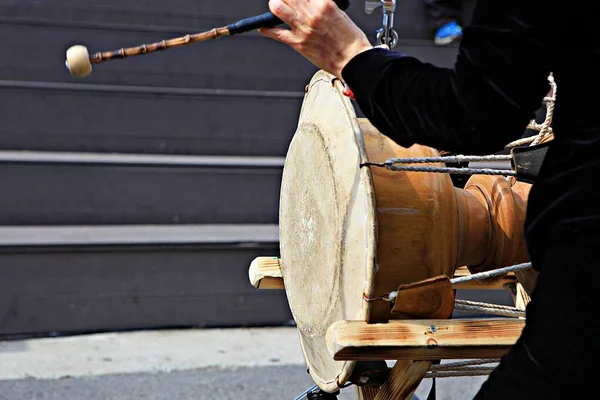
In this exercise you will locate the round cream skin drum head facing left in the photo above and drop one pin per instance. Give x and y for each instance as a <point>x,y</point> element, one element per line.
<point>327,225</point>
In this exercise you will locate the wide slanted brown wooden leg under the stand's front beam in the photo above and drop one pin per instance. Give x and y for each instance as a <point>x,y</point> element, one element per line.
<point>404,379</point>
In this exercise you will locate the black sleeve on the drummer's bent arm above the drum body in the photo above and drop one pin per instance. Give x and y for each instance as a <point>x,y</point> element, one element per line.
<point>477,107</point>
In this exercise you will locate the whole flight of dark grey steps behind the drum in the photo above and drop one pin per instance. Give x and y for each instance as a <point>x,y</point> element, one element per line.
<point>230,98</point>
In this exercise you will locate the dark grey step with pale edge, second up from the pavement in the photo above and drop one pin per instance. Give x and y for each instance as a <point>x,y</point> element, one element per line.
<point>84,189</point>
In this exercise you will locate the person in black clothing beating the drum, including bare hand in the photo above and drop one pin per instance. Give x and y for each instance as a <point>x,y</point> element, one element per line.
<point>484,102</point>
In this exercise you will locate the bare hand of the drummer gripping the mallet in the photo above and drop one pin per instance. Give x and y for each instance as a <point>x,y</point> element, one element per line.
<point>320,31</point>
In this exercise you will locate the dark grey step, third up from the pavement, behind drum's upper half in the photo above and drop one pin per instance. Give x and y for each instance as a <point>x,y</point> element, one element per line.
<point>123,119</point>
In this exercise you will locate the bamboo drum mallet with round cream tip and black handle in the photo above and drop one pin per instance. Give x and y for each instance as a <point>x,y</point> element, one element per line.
<point>79,62</point>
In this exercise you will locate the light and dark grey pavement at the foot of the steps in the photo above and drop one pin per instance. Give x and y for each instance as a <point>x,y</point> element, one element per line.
<point>194,364</point>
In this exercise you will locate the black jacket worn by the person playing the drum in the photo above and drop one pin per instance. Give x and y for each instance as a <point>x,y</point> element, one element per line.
<point>498,82</point>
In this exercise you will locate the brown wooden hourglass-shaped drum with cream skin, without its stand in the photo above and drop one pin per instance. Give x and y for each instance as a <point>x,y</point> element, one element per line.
<point>350,233</point>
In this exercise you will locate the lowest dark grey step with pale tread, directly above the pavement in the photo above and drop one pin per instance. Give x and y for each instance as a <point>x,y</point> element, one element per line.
<point>74,279</point>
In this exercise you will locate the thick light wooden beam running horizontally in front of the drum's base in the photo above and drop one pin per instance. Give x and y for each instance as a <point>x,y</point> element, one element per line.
<point>423,339</point>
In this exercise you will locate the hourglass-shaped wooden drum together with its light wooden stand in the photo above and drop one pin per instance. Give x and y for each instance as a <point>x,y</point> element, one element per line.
<point>371,258</point>
